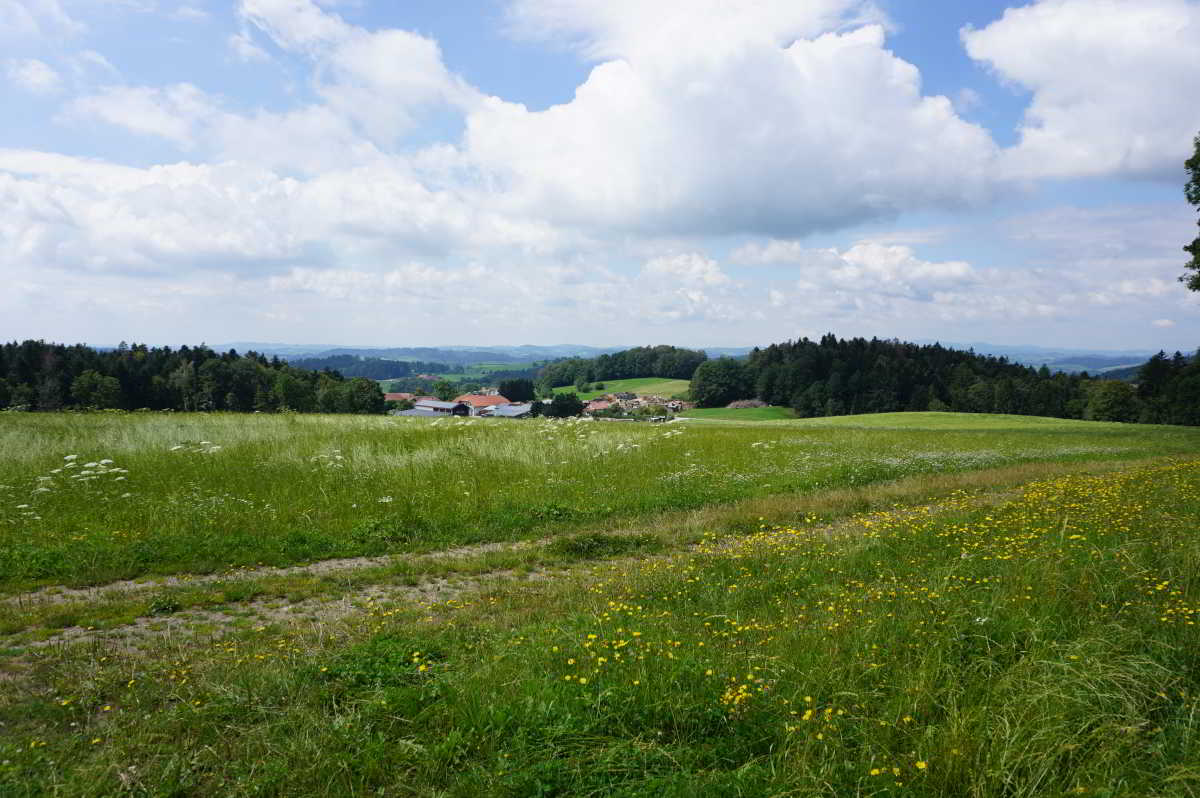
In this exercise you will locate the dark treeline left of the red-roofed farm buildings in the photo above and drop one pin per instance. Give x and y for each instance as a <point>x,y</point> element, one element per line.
<point>43,376</point>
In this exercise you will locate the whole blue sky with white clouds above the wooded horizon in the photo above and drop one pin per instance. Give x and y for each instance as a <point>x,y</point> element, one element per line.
<point>699,173</point>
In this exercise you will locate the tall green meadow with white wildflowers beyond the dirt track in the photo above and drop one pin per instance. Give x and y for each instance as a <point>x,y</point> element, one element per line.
<point>94,499</point>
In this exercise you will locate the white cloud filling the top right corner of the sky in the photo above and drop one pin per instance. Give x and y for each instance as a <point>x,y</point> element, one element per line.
<point>1111,82</point>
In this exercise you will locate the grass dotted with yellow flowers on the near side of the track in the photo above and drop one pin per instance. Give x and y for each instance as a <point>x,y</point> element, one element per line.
<point>1043,646</point>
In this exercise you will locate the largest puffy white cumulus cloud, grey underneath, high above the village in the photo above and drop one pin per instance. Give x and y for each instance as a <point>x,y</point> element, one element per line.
<point>817,135</point>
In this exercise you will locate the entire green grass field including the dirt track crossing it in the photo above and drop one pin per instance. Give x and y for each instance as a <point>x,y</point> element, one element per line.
<point>916,604</point>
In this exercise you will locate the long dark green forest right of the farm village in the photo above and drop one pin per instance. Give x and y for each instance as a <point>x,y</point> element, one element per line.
<point>845,377</point>
